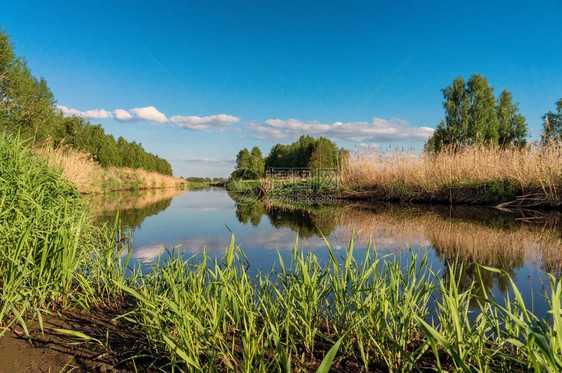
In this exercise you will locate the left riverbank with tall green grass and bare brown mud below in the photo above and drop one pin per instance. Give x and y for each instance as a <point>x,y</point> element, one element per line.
<point>56,273</point>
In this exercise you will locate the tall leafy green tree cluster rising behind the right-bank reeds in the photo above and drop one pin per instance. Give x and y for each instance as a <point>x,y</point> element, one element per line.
<point>472,116</point>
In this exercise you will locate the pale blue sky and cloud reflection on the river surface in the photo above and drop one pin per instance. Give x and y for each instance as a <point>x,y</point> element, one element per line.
<point>196,219</point>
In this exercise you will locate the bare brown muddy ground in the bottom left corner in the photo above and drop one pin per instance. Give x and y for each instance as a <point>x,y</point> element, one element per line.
<point>114,345</point>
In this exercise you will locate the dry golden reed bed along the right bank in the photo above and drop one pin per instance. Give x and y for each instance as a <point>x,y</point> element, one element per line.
<point>478,174</point>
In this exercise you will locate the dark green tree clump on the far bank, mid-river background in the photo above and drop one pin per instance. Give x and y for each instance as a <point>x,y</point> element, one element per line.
<point>307,152</point>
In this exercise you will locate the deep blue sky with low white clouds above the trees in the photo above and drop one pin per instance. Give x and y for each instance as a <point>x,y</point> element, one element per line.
<point>362,72</point>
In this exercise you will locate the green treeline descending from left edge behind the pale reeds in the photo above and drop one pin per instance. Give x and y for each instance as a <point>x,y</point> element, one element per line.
<point>27,107</point>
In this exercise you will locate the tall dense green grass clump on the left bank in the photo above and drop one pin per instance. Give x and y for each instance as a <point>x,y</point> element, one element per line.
<point>51,253</point>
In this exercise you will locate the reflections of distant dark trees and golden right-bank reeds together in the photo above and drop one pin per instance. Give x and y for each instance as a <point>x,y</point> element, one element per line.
<point>463,237</point>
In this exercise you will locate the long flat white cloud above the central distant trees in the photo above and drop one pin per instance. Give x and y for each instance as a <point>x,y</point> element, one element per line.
<point>379,130</point>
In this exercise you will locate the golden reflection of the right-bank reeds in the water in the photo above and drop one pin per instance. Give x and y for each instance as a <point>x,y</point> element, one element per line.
<point>464,237</point>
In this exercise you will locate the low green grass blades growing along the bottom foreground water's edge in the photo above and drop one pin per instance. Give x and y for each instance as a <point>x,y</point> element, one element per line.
<point>210,315</point>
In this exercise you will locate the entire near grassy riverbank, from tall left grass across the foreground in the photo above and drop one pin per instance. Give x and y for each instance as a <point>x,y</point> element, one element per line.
<point>208,314</point>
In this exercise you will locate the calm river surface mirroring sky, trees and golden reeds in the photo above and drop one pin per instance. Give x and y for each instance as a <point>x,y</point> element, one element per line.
<point>525,244</point>
